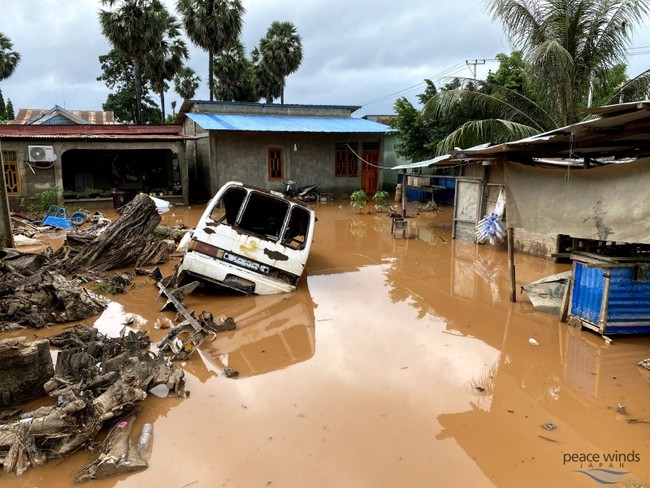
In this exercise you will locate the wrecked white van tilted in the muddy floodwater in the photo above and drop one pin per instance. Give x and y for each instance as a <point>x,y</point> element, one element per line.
<point>250,240</point>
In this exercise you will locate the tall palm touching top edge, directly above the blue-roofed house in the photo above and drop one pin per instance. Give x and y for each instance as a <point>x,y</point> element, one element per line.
<point>213,25</point>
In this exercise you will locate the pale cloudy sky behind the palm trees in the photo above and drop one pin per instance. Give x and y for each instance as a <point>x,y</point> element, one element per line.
<point>364,52</point>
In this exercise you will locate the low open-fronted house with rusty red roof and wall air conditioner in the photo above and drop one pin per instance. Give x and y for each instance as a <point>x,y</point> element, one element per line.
<point>105,163</point>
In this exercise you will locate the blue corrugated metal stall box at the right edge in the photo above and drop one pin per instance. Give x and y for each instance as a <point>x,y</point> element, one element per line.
<point>611,295</point>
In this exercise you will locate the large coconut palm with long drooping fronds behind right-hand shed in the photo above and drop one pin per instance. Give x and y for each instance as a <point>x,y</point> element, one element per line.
<point>565,45</point>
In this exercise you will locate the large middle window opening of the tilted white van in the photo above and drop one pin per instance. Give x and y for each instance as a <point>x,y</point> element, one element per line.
<point>264,215</point>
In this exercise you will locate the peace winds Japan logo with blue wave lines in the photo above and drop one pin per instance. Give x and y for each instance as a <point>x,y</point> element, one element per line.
<point>604,468</point>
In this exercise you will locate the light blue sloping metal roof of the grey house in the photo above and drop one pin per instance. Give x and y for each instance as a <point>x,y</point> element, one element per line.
<point>274,123</point>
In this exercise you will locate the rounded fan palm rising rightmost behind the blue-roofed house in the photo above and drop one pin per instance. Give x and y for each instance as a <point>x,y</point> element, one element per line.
<point>281,53</point>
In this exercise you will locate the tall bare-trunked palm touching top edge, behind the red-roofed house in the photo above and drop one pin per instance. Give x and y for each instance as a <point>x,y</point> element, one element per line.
<point>134,27</point>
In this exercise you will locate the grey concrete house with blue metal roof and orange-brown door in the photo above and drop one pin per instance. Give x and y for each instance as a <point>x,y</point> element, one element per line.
<point>266,144</point>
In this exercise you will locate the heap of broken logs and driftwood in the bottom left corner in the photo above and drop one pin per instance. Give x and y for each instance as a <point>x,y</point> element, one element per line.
<point>98,381</point>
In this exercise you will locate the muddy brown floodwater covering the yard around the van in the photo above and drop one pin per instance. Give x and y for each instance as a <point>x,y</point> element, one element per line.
<point>397,363</point>
